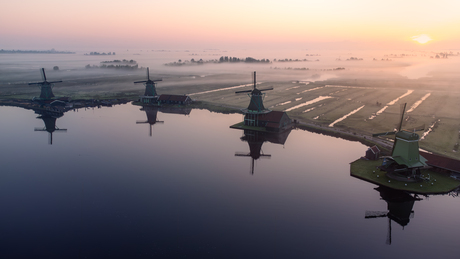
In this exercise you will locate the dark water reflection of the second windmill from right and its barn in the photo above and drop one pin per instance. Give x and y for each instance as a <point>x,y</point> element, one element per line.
<point>255,141</point>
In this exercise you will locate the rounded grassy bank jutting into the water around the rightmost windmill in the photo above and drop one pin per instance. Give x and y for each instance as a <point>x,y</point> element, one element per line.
<point>367,170</point>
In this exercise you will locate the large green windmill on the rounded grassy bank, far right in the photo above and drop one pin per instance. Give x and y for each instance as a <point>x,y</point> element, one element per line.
<point>405,160</point>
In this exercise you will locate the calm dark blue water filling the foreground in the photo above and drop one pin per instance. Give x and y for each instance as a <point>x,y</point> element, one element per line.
<point>110,187</point>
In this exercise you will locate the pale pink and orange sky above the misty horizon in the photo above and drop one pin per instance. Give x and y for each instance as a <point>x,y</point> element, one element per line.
<point>216,24</point>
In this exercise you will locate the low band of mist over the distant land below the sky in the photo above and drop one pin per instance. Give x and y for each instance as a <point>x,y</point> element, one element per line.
<point>397,68</point>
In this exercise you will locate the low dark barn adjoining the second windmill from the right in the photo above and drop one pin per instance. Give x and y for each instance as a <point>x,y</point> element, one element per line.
<point>274,121</point>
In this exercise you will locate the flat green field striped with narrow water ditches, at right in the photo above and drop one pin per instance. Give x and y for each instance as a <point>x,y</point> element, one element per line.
<point>440,108</point>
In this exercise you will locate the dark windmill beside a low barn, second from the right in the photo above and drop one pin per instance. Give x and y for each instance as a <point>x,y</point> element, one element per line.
<point>256,105</point>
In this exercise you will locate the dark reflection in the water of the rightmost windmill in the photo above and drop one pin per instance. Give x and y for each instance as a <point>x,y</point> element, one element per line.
<point>400,208</point>
